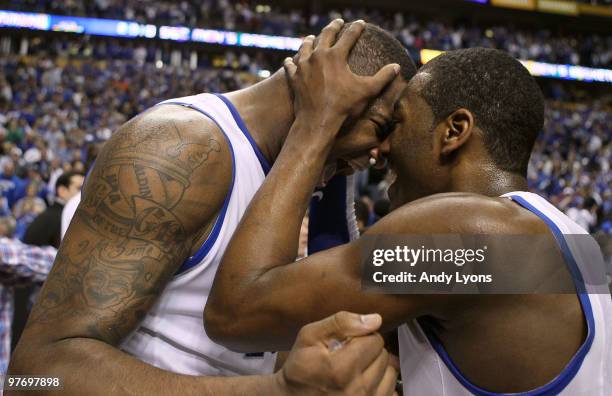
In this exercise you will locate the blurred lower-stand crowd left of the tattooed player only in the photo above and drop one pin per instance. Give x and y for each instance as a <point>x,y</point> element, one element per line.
<point>53,114</point>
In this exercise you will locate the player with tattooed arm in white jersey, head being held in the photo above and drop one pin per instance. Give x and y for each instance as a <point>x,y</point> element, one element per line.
<point>159,207</point>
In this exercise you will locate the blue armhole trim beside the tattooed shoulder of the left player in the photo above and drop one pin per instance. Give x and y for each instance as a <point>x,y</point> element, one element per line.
<point>214,234</point>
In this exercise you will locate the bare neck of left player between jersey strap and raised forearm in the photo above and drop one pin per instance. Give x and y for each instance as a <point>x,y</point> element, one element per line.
<point>267,110</point>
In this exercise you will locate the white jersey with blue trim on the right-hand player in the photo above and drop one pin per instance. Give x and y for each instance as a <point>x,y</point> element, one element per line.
<point>428,370</point>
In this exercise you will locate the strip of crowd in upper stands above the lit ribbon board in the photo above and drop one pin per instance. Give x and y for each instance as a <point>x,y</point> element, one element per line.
<point>534,44</point>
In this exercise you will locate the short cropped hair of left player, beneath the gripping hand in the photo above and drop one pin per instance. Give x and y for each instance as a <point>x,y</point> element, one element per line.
<point>376,48</point>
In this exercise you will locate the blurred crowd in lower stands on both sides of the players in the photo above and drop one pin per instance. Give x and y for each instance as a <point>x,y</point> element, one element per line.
<point>54,110</point>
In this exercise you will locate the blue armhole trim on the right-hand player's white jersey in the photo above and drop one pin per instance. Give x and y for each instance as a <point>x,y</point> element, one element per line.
<point>569,372</point>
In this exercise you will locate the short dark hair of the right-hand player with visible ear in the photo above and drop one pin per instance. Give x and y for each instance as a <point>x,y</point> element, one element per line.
<point>505,100</point>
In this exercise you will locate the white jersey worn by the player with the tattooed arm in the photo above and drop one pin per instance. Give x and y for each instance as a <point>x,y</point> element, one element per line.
<point>172,335</point>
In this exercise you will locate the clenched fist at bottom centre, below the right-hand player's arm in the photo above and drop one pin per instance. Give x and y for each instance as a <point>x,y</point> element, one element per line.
<point>339,355</point>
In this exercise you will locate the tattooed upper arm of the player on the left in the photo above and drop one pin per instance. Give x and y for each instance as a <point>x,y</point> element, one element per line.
<point>159,180</point>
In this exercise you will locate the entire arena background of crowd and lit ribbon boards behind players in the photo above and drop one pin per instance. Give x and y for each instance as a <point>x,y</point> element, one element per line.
<point>67,80</point>
